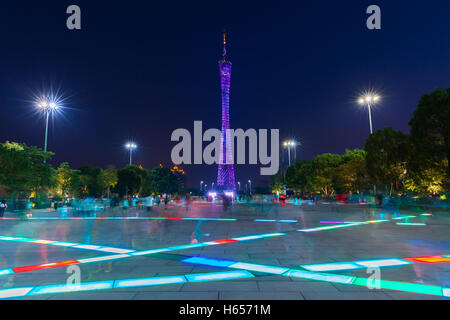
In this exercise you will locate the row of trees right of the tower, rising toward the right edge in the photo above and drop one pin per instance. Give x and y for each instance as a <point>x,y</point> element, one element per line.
<point>417,162</point>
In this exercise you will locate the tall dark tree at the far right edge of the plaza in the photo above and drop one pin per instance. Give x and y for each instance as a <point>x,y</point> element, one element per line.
<point>430,138</point>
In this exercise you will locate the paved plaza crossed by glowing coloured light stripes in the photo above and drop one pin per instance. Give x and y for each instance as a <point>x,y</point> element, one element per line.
<point>248,251</point>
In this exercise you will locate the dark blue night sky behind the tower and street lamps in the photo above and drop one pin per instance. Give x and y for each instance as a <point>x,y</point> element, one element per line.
<point>140,69</point>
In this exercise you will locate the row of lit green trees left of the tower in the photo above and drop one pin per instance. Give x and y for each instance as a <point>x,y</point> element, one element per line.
<point>25,172</point>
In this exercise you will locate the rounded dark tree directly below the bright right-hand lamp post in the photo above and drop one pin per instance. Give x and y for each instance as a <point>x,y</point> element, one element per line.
<point>387,155</point>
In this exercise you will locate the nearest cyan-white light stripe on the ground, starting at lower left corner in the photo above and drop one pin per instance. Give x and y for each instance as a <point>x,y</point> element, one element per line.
<point>12,293</point>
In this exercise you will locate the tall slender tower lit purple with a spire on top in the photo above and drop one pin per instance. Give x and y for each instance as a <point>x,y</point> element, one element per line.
<point>225,174</point>
